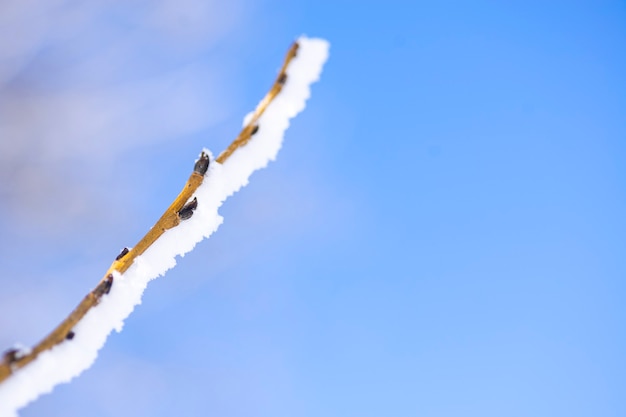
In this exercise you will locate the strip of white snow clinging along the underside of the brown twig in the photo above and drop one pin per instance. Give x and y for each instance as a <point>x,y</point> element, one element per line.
<point>68,359</point>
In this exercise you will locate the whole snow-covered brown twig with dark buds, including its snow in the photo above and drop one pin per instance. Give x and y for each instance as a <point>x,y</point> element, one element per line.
<point>73,346</point>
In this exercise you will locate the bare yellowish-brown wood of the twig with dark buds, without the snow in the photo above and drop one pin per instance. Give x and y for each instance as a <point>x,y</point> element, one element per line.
<point>178,211</point>
